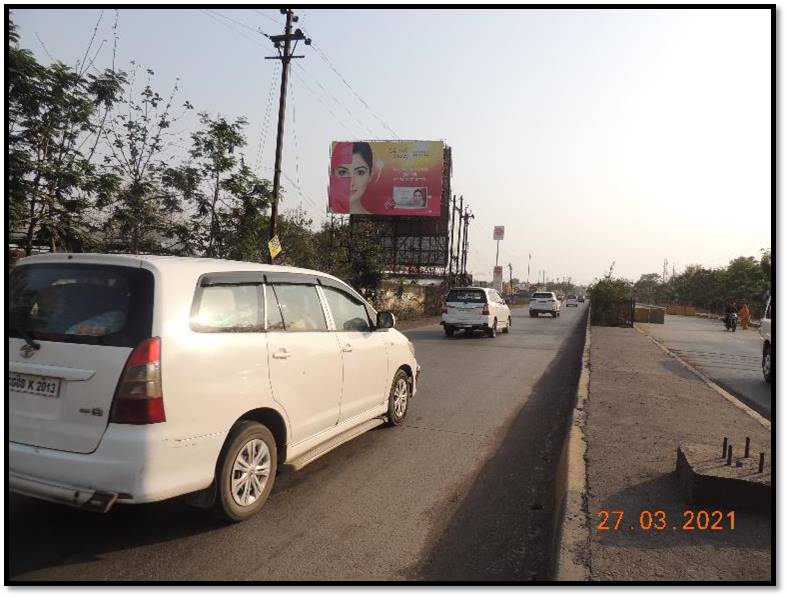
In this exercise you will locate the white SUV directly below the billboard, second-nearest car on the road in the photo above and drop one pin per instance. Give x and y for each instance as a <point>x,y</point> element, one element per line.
<point>475,308</point>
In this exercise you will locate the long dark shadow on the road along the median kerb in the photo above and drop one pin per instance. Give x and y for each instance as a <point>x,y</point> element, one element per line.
<point>503,530</point>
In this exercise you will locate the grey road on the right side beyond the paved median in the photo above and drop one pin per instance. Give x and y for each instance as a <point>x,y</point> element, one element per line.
<point>731,359</point>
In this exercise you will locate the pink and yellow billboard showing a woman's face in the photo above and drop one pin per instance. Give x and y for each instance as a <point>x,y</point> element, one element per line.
<point>386,178</point>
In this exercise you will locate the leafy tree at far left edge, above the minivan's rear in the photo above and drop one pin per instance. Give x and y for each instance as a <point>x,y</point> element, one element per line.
<point>56,116</point>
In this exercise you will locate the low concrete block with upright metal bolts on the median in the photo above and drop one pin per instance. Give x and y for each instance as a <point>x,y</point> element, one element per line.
<point>707,480</point>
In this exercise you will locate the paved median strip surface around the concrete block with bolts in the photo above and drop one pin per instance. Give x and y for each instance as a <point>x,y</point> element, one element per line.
<point>641,404</point>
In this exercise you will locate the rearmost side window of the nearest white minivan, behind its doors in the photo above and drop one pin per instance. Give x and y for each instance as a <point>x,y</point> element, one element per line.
<point>228,308</point>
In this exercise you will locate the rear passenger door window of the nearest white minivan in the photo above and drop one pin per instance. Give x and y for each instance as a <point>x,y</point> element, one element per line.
<point>300,308</point>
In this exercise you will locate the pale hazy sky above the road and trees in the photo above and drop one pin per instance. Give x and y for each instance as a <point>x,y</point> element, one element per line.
<point>592,135</point>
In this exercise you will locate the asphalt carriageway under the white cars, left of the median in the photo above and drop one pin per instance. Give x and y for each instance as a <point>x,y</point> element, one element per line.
<point>462,491</point>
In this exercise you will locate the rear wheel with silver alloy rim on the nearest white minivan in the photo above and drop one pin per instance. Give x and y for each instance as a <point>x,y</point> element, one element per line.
<point>248,440</point>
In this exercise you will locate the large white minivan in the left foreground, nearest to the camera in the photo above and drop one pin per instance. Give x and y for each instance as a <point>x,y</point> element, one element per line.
<point>138,378</point>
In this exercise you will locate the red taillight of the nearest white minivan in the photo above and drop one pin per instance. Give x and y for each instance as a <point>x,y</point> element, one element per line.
<point>138,399</point>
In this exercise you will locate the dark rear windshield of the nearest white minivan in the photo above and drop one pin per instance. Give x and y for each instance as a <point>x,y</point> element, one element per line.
<point>81,303</point>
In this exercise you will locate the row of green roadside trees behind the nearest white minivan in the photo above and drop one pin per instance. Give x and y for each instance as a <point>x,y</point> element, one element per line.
<point>62,121</point>
